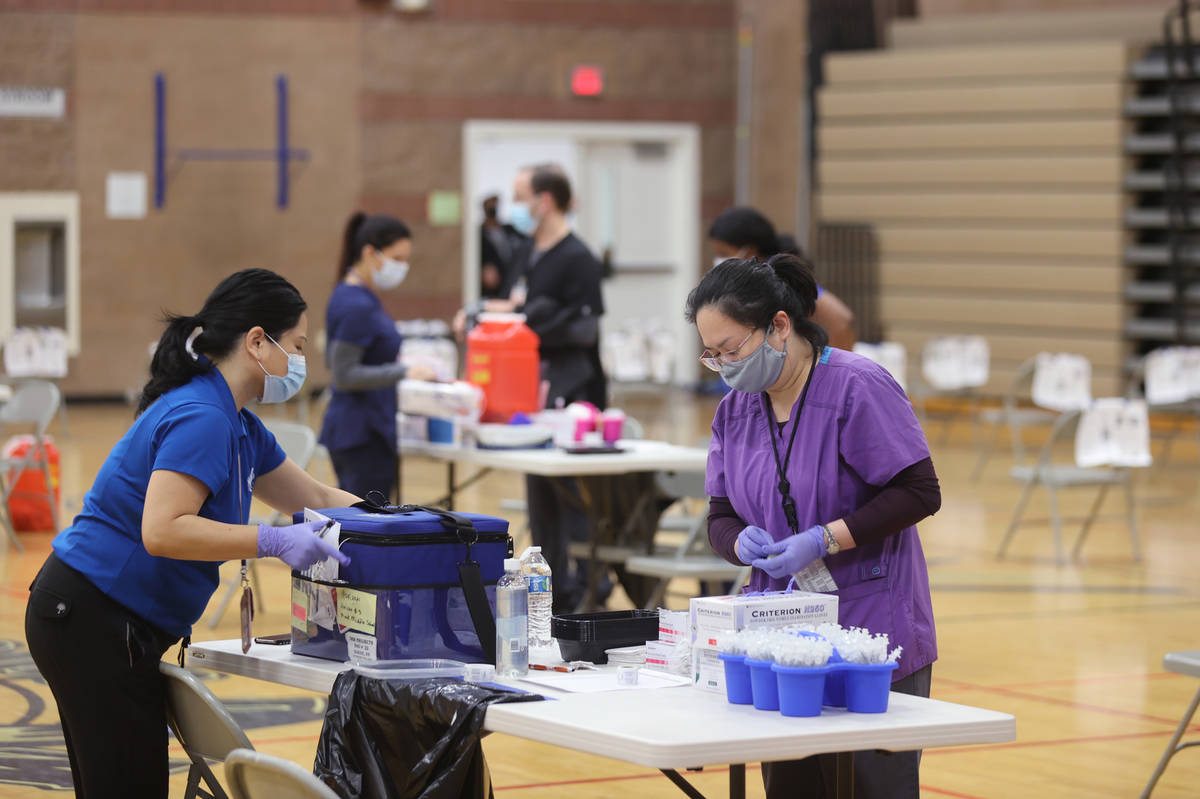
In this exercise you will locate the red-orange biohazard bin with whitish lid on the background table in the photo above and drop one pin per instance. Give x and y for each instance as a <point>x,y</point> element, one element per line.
<point>502,359</point>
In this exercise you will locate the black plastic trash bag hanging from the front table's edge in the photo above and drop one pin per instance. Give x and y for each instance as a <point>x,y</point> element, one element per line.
<point>388,740</point>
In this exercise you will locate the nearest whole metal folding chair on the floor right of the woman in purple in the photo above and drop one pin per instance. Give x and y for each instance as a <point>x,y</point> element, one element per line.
<point>1055,477</point>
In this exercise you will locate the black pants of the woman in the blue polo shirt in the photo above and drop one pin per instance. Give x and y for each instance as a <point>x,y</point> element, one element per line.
<point>101,663</point>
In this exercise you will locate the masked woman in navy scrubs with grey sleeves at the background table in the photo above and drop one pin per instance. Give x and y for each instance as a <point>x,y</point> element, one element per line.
<point>362,347</point>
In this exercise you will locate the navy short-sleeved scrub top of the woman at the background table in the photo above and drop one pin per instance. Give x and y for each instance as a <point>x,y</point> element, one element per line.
<point>358,418</point>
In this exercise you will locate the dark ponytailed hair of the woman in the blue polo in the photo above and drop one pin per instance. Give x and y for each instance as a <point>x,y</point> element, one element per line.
<point>244,301</point>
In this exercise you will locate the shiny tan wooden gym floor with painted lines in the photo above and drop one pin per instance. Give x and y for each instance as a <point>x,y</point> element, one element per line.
<point>1073,652</point>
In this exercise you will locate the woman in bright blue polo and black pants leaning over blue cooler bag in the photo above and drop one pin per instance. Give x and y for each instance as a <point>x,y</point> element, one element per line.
<point>137,567</point>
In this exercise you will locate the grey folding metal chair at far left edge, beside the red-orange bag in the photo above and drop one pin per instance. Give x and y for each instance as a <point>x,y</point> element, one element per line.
<point>34,404</point>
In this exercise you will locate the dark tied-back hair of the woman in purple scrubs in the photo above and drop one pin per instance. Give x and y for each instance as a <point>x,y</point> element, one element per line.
<point>752,293</point>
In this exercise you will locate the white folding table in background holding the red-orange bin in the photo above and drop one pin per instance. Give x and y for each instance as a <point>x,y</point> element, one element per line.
<point>635,456</point>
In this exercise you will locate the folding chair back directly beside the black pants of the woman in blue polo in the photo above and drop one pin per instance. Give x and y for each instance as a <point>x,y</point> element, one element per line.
<point>205,729</point>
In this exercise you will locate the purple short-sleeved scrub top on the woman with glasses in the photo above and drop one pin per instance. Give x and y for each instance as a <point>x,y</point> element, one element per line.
<point>856,432</point>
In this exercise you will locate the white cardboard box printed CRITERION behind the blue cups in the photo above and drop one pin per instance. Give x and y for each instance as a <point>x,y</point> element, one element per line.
<point>713,617</point>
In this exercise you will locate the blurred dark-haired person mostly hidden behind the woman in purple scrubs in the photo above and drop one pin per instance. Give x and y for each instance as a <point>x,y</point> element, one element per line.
<point>743,232</point>
